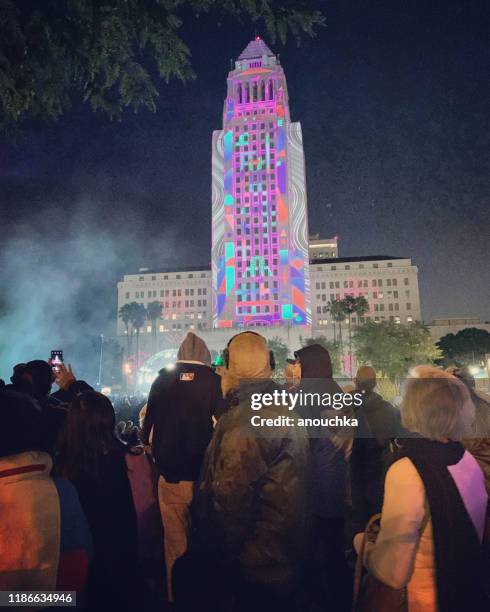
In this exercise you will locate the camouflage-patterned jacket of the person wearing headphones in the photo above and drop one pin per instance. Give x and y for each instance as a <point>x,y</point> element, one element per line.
<point>250,505</point>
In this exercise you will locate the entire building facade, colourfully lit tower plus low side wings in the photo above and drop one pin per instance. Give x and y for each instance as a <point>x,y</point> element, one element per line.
<point>264,270</point>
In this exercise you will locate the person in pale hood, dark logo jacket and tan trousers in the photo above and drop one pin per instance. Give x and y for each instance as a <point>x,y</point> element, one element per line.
<point>179,424</point>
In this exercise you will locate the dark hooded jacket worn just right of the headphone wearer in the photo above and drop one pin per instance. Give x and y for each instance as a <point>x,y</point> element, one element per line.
<point>328,463</point>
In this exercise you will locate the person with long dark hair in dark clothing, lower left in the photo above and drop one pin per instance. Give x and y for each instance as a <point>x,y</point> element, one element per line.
<point>94,460</point>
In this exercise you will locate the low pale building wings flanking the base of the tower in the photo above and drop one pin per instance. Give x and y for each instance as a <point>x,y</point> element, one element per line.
<point>389,284</point>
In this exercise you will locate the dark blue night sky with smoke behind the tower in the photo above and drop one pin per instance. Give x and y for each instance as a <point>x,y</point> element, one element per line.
<point>393,98</point>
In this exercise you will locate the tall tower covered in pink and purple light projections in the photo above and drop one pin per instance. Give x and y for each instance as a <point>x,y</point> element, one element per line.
<point>260,263</point>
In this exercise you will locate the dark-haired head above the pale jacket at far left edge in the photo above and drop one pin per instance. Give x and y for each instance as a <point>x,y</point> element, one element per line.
<point>21,427</point>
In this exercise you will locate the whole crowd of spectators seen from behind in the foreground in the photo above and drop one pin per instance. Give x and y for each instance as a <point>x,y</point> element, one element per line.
<point>189,510</point>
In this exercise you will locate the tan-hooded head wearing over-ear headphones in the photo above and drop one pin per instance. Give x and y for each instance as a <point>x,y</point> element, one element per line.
<point>247,357</point>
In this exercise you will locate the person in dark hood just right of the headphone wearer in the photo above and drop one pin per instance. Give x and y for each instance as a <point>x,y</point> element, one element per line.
<point>328,485</point>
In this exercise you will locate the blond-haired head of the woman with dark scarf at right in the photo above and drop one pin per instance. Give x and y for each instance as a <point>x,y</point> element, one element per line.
<point>436,405</point>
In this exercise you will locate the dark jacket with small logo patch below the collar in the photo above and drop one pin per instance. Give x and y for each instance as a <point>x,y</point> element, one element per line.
<point>180,409</point>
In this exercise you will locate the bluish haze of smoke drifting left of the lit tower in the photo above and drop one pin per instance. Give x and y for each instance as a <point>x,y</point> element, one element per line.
<point>58,282</point>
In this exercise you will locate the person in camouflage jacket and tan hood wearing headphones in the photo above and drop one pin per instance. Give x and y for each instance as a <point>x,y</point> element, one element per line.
<point>250,504</point>
